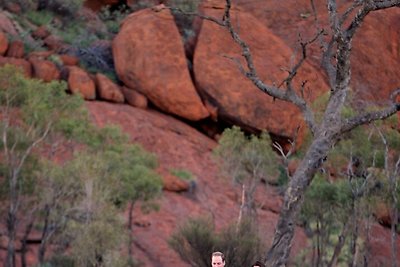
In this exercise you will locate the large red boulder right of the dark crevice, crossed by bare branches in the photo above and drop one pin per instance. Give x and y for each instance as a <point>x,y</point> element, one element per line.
<point>238,101</point>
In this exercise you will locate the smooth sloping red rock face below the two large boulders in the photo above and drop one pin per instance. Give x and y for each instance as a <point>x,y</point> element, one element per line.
<point>179,146</point>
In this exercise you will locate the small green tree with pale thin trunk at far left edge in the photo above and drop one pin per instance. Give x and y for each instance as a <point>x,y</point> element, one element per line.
<point>30,112</point>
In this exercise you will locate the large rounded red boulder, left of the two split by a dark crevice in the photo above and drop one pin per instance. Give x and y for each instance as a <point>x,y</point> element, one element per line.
<point>149,57</point>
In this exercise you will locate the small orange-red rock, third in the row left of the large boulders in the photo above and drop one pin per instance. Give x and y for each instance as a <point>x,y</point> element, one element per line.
<point>79,82</point>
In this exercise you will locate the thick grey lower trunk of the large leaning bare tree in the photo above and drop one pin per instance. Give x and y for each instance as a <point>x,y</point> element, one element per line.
<point>316,154</point>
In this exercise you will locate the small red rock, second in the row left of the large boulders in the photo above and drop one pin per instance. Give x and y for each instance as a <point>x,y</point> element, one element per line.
<point>108,90</point>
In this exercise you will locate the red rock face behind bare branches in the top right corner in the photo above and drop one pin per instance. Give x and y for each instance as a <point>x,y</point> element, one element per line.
<point>375,53</point>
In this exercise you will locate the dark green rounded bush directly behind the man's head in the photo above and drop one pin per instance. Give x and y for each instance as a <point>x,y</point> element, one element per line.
<point>196,239</point>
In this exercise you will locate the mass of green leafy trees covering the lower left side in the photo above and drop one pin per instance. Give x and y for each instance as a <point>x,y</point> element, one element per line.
<point>75,204</point>
